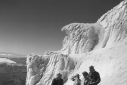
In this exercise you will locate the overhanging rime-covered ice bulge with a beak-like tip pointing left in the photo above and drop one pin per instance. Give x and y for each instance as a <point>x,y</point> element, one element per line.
<point>82,37</point>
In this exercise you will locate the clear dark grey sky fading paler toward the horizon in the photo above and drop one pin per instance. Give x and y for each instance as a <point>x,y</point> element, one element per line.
<point>34,26</point>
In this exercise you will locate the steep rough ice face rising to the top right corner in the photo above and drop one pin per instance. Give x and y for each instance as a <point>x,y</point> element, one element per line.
<point>115,24</point>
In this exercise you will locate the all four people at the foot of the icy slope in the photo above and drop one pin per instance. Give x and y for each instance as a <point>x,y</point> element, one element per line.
<point>91,78</point>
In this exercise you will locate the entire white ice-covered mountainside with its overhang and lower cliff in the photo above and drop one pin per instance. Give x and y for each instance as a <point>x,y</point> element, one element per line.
<point>102,44</point>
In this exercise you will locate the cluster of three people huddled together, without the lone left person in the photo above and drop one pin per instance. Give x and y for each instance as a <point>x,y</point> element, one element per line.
<point>91,78</point>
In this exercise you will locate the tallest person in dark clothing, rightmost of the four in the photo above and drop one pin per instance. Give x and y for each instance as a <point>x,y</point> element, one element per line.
<point>94,76</point>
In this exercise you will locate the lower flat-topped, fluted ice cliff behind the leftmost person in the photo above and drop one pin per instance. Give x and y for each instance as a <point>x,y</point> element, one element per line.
<point>44,68</point>
